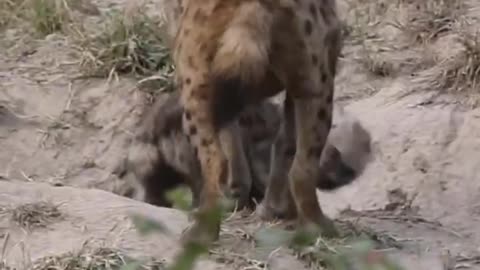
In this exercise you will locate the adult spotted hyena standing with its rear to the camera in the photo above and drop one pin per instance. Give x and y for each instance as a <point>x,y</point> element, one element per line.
<point>231,54</point>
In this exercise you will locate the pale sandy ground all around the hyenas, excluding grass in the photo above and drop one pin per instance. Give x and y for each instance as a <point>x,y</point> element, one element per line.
<point>422,189</point>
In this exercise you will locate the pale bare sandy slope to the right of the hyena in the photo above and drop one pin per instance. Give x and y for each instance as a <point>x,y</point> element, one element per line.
<point>423,186</point>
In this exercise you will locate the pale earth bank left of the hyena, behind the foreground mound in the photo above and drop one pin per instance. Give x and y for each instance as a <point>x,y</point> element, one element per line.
<point>58,129</point>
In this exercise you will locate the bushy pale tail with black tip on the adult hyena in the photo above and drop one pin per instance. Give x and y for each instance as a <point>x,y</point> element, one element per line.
<point>241,60</point>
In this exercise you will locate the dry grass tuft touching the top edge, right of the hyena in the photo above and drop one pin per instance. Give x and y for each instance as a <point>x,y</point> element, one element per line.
<point>431,18</point>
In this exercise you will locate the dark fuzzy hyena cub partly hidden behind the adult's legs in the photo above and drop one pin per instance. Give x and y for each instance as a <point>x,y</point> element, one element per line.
<point>161,158</point>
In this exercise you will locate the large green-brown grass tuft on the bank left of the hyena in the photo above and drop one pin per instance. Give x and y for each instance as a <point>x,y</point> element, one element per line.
<point>132,44</point>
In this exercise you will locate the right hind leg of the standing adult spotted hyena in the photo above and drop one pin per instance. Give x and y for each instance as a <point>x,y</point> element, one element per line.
<point>313,117</point>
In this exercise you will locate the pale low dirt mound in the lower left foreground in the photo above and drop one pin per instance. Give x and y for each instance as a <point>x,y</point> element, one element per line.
<point>87,217</point>
